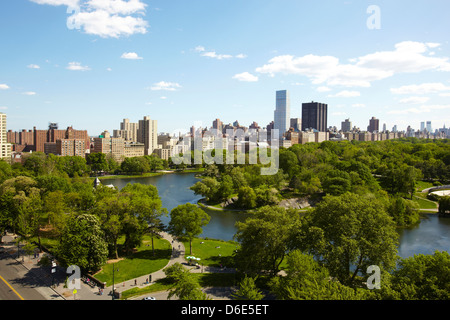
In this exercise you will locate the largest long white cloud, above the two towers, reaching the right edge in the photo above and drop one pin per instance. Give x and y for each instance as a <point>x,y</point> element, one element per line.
<point>407,57</point>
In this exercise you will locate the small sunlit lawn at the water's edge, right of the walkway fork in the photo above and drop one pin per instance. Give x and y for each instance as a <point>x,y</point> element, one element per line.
<point>212,252</point>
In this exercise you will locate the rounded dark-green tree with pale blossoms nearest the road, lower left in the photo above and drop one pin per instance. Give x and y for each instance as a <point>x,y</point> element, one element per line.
<point>82,243</point>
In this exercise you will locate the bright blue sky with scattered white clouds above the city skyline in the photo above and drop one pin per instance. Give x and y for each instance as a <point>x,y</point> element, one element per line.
<point>92,63</point>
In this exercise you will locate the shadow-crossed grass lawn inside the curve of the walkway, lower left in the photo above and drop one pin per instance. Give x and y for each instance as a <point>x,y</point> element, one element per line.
<point>140,263</point>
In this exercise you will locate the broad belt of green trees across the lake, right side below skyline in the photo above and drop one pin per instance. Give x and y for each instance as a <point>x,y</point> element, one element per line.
<point>389,169</point>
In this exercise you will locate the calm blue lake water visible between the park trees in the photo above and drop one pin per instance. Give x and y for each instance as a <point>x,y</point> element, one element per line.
<point>433,233</point>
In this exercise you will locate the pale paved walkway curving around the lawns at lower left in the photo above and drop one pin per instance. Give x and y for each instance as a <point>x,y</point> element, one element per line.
<point>57,290</point>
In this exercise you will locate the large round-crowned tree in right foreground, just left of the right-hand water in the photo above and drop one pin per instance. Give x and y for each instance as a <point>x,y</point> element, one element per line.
<point>350,232</point>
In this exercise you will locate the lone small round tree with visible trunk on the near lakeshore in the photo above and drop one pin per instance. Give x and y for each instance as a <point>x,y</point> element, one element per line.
<point>187,220</point>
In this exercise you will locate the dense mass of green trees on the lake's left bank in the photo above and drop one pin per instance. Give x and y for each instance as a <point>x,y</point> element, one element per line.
<point>56,194</point>
